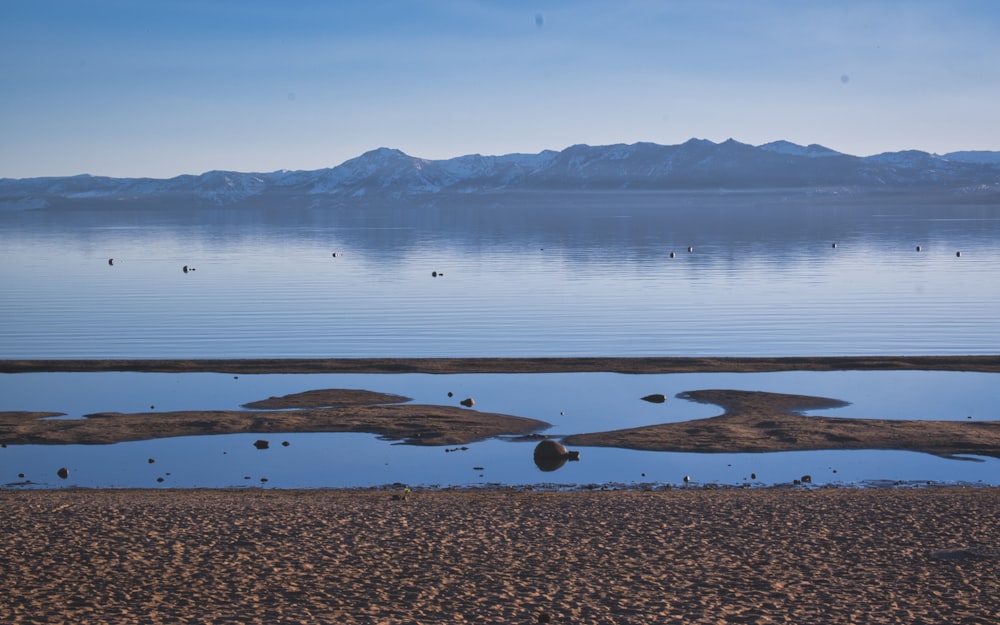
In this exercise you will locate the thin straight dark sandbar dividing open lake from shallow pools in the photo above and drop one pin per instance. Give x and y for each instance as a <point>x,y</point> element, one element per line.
<point>634,365</point>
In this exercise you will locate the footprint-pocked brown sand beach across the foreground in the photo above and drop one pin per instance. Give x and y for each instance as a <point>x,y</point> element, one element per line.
<point>677,556</point>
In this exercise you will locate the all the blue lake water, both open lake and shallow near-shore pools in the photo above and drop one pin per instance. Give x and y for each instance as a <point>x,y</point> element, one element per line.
<point>535,275</point>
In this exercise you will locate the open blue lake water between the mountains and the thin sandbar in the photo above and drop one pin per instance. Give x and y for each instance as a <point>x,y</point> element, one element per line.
<point>590,275</point>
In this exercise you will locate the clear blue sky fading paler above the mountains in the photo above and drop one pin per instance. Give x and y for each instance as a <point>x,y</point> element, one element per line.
<point>159,88</point>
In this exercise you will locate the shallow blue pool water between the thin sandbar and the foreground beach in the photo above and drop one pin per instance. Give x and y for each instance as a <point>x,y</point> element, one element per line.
<point>573,403</point>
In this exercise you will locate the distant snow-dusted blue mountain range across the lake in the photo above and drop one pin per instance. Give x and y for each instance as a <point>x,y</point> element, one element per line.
<point>386,174</point>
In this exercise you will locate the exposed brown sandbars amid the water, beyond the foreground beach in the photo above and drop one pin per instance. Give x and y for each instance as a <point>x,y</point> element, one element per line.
<point>751,421</point>
